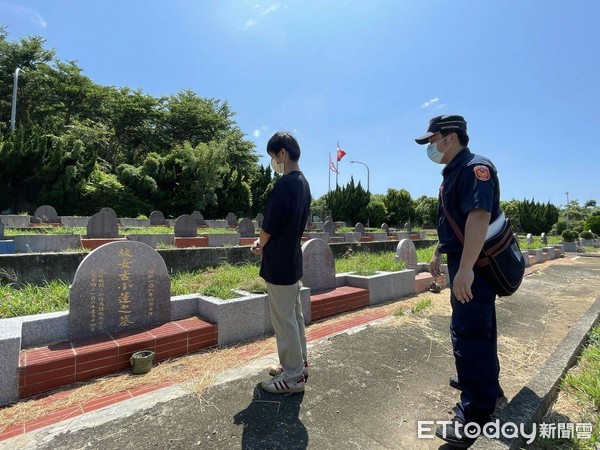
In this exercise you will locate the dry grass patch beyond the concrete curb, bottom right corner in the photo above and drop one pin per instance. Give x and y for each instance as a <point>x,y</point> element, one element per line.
<point>578,401</point>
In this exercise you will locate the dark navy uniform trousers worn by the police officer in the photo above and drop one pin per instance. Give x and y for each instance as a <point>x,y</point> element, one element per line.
<point>474,341</point>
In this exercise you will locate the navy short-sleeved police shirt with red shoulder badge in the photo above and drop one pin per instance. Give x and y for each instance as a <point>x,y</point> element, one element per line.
<point>470,182</point>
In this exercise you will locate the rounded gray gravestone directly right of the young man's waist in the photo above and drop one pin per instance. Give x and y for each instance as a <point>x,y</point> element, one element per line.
<point>318,266</point>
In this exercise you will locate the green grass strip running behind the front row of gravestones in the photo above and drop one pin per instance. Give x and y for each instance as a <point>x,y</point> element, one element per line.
<point>53,296</point>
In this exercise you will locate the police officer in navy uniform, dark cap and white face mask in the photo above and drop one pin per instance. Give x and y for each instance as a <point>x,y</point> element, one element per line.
<point>469,200</point>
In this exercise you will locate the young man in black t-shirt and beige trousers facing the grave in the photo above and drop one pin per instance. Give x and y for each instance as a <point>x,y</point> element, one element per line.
<point>279,245</point>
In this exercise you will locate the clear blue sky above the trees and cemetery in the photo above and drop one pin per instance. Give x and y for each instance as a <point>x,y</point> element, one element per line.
<point>369,74</point>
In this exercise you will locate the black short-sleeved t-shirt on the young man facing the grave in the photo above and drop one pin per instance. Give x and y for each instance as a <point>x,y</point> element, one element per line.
<point>285,219</point>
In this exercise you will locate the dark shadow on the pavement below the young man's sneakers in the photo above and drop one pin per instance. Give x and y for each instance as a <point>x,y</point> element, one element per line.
<point>271,421</point>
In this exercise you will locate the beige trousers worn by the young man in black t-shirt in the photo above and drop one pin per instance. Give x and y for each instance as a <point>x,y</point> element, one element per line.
<point>288,323</point>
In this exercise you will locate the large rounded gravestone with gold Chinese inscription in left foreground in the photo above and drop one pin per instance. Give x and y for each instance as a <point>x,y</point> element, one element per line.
<point>119,286</point>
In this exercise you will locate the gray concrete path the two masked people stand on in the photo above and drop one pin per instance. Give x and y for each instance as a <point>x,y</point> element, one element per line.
<point>368,386</point>
